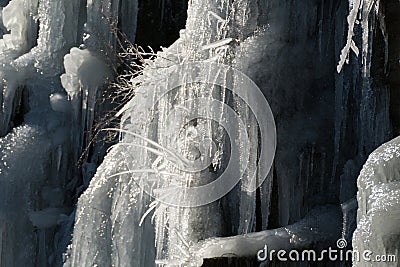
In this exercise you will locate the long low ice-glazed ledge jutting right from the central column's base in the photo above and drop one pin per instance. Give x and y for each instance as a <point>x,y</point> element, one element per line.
<point>318,228</point>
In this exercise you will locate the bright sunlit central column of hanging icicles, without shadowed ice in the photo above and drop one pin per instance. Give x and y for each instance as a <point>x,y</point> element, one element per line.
<point>117,223</point>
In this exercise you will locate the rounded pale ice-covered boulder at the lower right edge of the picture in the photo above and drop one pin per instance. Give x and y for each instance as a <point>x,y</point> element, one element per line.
<point>378,216</point>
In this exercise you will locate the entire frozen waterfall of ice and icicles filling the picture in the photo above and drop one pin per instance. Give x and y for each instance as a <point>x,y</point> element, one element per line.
<point>58,56</point>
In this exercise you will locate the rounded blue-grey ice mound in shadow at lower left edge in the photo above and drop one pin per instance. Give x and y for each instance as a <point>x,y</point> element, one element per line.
<point>23,242</point>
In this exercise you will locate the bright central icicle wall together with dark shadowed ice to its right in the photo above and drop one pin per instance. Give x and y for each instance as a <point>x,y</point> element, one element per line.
<point>269,41</point>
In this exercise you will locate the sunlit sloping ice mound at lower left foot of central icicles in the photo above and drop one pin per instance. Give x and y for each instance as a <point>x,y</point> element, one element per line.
<point>107,230</point>
